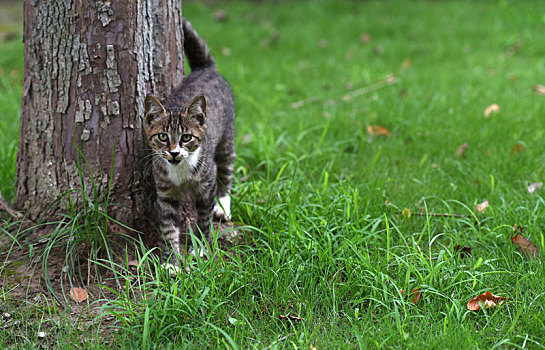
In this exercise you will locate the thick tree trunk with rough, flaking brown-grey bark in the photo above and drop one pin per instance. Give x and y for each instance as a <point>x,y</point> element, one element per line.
<point>87,68</point>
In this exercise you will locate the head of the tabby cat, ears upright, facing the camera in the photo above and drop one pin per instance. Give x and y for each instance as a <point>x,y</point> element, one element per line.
<point>175,133</point>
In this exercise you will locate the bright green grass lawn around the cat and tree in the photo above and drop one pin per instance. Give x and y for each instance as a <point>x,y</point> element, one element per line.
<point>329,250</point>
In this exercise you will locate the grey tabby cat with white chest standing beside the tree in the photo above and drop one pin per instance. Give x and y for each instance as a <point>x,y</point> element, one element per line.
<point>192,137</point>
